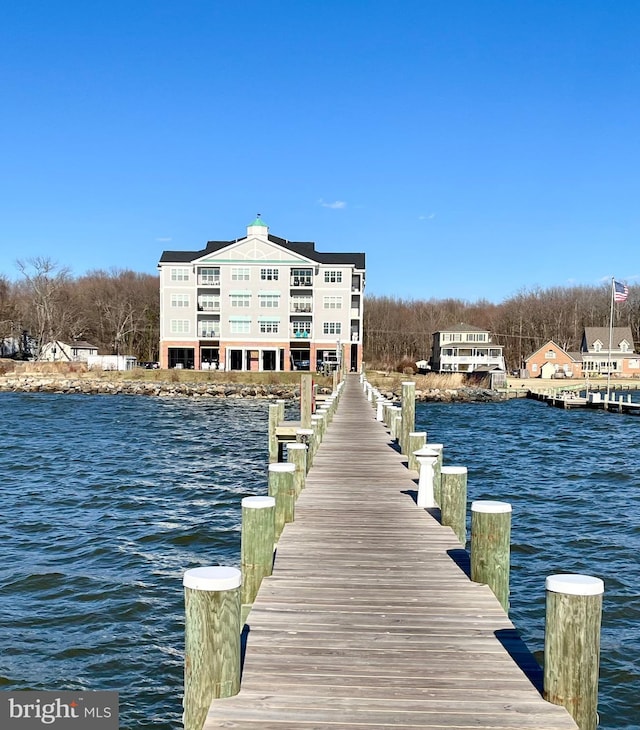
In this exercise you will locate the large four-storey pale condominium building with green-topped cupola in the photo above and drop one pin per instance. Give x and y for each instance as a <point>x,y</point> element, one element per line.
<point>260,303</point>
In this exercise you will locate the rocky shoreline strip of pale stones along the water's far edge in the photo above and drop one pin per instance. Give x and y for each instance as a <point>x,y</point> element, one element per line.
<point>94,386</point>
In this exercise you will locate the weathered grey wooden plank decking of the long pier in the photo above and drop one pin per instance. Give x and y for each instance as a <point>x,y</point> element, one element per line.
<point>368,621</point>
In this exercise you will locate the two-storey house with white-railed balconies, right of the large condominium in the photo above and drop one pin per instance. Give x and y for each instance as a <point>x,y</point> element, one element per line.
<point>464,348</point>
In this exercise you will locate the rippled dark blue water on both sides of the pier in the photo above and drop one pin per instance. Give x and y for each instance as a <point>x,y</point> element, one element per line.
<point>108,499</point>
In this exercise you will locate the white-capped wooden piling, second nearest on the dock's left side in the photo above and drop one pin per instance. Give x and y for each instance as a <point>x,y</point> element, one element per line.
<point>256,545</point>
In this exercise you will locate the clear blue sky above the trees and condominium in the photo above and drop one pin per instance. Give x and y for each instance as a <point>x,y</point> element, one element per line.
<point>470,148</point>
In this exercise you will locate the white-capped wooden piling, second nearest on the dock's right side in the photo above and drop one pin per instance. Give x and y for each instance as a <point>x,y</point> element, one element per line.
<point>491,547</point>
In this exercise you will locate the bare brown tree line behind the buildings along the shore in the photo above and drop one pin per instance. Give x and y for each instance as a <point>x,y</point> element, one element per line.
<point>118,311</point>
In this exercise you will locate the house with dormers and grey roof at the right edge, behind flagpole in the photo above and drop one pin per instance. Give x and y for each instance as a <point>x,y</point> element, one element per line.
<point>597,359</point>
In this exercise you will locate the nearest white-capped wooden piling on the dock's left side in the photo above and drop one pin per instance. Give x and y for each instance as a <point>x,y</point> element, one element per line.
<point>212,639</point>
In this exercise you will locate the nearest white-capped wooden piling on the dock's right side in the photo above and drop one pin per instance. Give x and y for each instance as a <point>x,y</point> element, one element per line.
<point>572,645</point>
